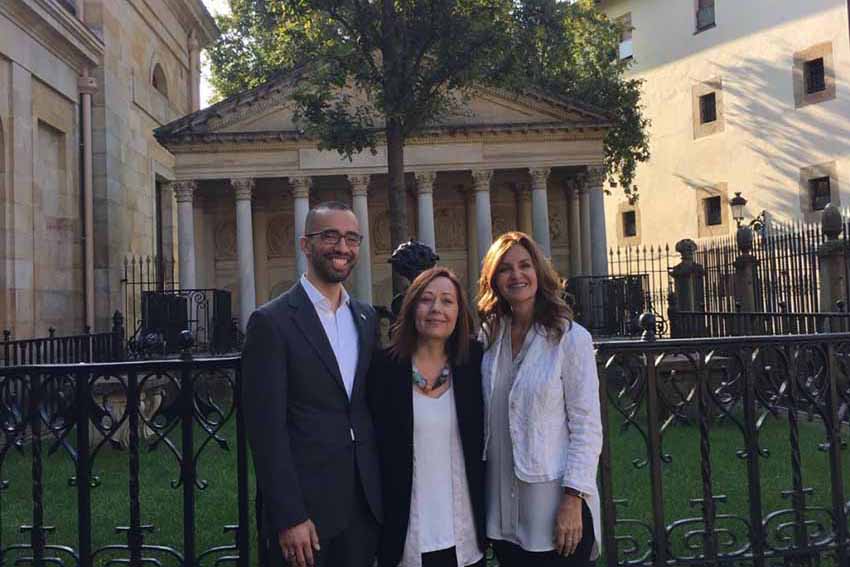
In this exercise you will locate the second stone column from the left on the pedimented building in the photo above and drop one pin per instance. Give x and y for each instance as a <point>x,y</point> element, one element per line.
<point>244,189</point>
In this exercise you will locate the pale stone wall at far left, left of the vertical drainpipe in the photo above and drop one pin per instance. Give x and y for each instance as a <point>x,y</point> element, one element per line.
<point>40,227</point>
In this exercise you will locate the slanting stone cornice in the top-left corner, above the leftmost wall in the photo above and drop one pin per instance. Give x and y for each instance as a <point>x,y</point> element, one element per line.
<point>58,29</point>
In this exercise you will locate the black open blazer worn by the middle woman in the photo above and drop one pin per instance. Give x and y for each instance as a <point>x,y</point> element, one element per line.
<point>390,393</point>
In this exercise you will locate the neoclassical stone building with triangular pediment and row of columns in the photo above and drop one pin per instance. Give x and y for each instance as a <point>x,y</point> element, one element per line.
<point>246,176</point>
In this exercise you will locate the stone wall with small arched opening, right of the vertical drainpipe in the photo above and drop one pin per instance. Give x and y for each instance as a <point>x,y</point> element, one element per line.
<point>127,108</point>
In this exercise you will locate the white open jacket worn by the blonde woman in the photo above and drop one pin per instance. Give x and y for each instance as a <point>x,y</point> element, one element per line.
<point>554,420</point>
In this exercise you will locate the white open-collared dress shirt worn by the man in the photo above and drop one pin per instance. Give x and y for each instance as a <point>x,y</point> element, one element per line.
<point>340,330</point>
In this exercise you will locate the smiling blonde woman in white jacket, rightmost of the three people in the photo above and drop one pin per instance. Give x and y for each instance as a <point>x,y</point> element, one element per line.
<point>543,433</point>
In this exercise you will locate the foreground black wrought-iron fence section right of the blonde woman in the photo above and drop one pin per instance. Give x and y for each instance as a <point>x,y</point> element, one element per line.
<point>725,451</point>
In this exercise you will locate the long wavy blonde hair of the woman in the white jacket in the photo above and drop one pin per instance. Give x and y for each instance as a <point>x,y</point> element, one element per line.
<point>550,310</point>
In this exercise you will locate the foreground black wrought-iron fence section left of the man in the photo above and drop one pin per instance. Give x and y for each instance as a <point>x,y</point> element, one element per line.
<point>96,422</point>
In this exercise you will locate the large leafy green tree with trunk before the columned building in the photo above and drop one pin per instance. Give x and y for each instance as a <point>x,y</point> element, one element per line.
<point>373,71</point>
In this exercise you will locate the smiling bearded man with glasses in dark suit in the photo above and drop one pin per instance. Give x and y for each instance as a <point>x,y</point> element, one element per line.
<point>311,434</point>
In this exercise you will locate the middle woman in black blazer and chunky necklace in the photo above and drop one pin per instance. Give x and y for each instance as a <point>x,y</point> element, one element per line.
<point>425,395</point>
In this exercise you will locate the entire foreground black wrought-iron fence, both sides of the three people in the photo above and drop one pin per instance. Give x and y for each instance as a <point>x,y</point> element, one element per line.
<point>717,452</point>
